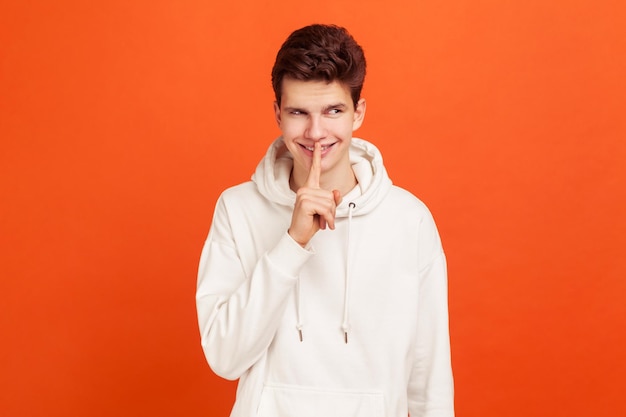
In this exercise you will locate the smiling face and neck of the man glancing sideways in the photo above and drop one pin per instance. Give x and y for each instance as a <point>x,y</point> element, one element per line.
<point>317,111</point>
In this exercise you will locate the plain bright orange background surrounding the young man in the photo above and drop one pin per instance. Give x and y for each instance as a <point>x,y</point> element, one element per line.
<point>122,121</point>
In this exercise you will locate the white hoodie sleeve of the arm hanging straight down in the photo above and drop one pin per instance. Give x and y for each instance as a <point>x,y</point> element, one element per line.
<point>430,390</point>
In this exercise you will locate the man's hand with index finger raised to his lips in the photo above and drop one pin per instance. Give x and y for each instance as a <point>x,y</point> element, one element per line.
<point>314,208</point>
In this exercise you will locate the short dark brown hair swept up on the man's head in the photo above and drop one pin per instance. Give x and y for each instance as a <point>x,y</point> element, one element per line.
<point>320,52</point>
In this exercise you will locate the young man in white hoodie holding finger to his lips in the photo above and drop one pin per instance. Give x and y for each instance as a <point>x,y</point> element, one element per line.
<point>322,287</point>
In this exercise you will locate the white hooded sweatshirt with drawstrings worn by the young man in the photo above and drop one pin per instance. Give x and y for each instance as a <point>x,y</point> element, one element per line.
<point>354,325</point>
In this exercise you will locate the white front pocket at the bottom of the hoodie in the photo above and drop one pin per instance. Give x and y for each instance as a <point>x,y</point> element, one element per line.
<point>295,401</point>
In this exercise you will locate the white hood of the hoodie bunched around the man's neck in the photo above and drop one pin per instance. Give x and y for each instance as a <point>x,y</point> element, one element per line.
<point>272,177</point>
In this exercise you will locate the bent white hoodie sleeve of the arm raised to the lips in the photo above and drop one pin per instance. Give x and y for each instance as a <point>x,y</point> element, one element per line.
<point>238,311</point>
